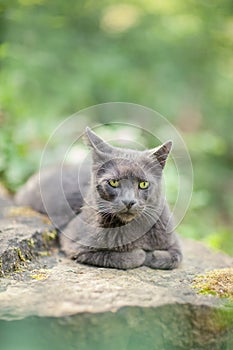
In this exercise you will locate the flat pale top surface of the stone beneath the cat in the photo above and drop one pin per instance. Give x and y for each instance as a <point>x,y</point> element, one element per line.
<point>57,286</point>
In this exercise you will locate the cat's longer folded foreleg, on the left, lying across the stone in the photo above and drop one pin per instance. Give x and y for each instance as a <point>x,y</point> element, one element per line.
<point>119,260</point>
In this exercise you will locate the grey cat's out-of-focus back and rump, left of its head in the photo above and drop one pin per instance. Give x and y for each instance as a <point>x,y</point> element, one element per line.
<point>56,191</point>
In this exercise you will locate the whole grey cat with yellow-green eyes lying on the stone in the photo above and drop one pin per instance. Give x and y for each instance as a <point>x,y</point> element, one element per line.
<point>119,217</point>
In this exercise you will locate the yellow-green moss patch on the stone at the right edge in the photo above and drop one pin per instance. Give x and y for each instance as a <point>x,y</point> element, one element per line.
<point>216,282</point>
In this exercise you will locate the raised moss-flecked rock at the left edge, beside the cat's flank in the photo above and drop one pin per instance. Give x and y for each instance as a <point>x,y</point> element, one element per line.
<point>24,235</point>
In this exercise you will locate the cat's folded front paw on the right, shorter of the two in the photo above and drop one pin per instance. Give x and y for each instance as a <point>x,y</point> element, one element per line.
<point>163,259</point>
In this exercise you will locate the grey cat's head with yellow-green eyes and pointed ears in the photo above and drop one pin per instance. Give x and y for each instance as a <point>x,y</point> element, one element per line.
<point>127,183</point>
